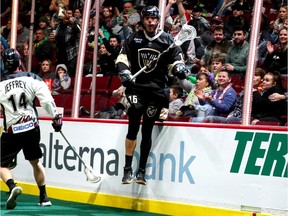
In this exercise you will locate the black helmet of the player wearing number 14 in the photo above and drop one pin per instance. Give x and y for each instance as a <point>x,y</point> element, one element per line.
<point>11,59</point>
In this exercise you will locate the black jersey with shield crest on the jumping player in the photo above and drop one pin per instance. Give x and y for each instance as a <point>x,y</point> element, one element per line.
<point>139,49</point>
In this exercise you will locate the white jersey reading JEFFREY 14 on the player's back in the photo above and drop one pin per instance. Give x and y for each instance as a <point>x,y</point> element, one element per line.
<point>17,98</point>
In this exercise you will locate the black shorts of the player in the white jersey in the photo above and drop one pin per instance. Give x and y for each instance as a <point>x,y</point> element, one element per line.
<point>12,144</point>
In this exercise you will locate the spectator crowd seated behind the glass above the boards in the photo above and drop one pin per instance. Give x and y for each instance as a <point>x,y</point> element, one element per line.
<point>217,57</point>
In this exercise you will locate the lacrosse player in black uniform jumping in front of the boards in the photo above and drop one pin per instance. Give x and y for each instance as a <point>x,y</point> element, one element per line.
<point>146,93</point>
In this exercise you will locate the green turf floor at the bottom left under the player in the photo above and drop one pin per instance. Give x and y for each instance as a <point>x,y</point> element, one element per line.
<point>27,206</point>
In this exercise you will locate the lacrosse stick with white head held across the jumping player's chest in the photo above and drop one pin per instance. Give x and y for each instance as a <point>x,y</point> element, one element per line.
<point>186,33</point>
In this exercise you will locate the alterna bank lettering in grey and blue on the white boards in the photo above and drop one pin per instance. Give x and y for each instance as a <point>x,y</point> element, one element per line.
<point>60,156</point>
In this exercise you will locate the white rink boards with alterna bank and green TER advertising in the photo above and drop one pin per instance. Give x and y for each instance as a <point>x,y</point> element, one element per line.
<point>221,167</point>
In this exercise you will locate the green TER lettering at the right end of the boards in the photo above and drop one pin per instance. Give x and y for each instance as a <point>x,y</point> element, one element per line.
<point>268,155</point>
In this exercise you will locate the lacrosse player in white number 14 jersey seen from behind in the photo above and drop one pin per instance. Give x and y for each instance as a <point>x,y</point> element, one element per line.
<point>21,126</point>
